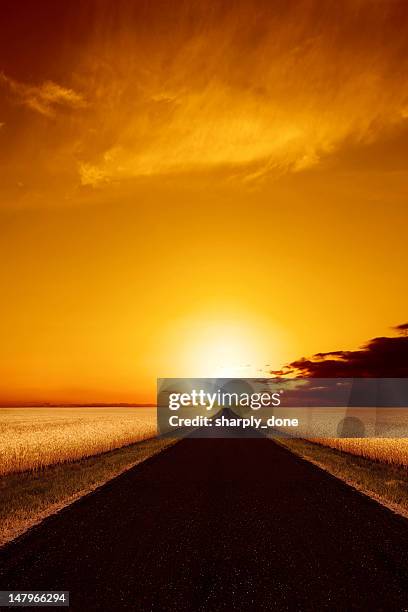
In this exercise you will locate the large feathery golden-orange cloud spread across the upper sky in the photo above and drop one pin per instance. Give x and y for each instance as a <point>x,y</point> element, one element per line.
<point>252,88</point>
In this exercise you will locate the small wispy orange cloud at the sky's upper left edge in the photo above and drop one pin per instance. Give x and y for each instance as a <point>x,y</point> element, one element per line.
<point>45,98</point>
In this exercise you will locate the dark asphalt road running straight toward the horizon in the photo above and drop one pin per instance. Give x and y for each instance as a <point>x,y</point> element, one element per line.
<point>218,524</point>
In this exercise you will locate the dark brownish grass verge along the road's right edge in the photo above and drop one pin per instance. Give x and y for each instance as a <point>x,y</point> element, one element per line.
<point>386,483</point>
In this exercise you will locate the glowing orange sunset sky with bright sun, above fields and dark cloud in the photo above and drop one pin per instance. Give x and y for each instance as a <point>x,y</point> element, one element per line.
<point>196,188</point>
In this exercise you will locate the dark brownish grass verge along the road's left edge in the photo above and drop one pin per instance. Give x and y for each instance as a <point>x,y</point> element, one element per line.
<point>29,497</point>
